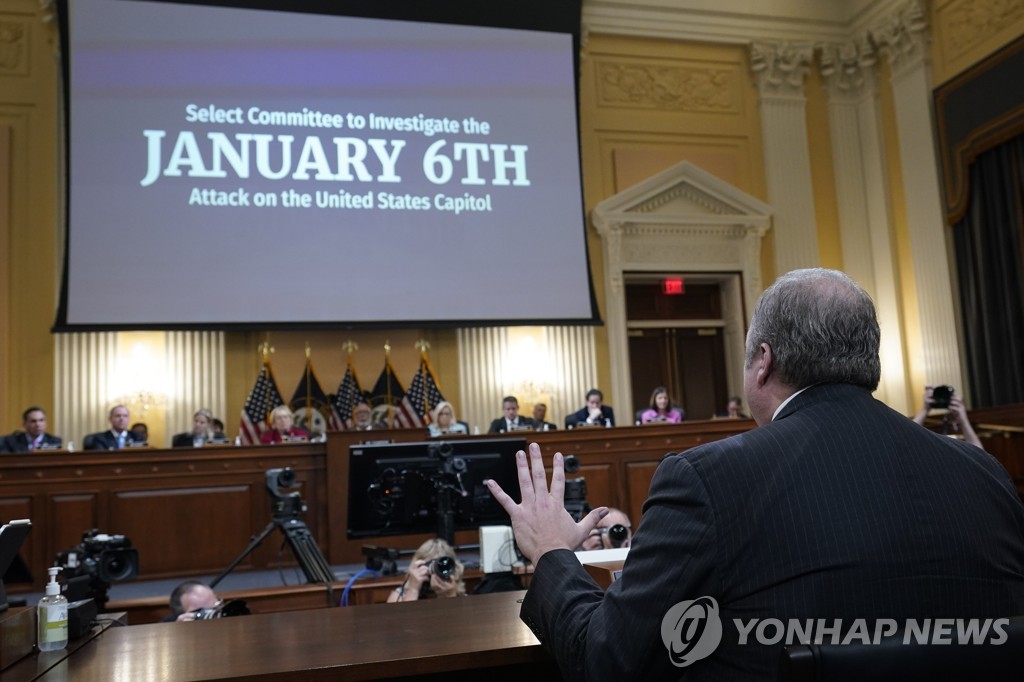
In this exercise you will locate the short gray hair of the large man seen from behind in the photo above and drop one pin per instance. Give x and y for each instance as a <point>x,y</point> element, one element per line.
<point>822,328</point>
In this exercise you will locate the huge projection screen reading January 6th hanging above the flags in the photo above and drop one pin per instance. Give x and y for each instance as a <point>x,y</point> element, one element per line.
<point>243,168</point>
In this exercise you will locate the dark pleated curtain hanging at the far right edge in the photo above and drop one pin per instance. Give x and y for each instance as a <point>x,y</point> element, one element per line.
<point>991,269</point>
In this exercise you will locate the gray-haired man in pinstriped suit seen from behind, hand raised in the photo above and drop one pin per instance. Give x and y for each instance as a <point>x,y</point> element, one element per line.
<point>836,507</point>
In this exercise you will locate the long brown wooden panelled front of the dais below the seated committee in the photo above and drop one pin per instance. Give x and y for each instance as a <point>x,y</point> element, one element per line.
<point>192,513</point>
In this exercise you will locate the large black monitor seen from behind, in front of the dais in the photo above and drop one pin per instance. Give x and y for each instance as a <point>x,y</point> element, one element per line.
<point>404,489</point>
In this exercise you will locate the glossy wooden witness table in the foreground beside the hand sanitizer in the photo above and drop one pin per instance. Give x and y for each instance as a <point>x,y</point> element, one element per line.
<point>476,638</point>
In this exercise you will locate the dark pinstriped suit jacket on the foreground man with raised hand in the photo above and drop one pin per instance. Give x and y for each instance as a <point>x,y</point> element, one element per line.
<point>839,508</point>
